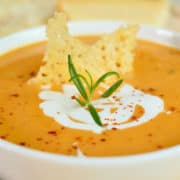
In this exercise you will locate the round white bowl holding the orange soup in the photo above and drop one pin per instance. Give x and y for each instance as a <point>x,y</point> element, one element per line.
<point>18,163</point>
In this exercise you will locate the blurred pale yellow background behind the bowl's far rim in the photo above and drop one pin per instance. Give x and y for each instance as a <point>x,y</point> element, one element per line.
<point>16,15</point>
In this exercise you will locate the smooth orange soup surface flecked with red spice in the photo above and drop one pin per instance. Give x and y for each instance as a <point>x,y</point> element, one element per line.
<point>156,72</point>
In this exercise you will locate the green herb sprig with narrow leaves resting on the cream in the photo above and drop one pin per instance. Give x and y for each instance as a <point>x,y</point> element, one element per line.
<point>79,81</point>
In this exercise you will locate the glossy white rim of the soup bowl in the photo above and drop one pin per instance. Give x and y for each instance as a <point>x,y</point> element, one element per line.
<point>35,35</point>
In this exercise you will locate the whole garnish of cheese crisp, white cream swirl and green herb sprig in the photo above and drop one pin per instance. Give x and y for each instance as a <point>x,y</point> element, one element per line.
<point>113,54</point>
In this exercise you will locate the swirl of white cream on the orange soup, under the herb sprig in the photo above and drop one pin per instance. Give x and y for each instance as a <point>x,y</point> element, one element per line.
<point>115,111</point>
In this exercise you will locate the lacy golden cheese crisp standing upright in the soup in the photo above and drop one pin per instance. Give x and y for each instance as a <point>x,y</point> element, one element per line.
<point>112,52</point>
